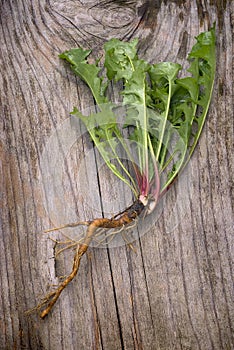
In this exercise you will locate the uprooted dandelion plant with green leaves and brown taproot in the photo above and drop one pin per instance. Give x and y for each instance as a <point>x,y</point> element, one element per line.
<point>162,113</point>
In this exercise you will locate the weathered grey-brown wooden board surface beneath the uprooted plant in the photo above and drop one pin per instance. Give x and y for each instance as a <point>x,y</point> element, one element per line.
<point>175,292</point>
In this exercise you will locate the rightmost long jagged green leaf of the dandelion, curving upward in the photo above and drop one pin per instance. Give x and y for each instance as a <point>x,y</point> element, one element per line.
<point>191,98</point>
